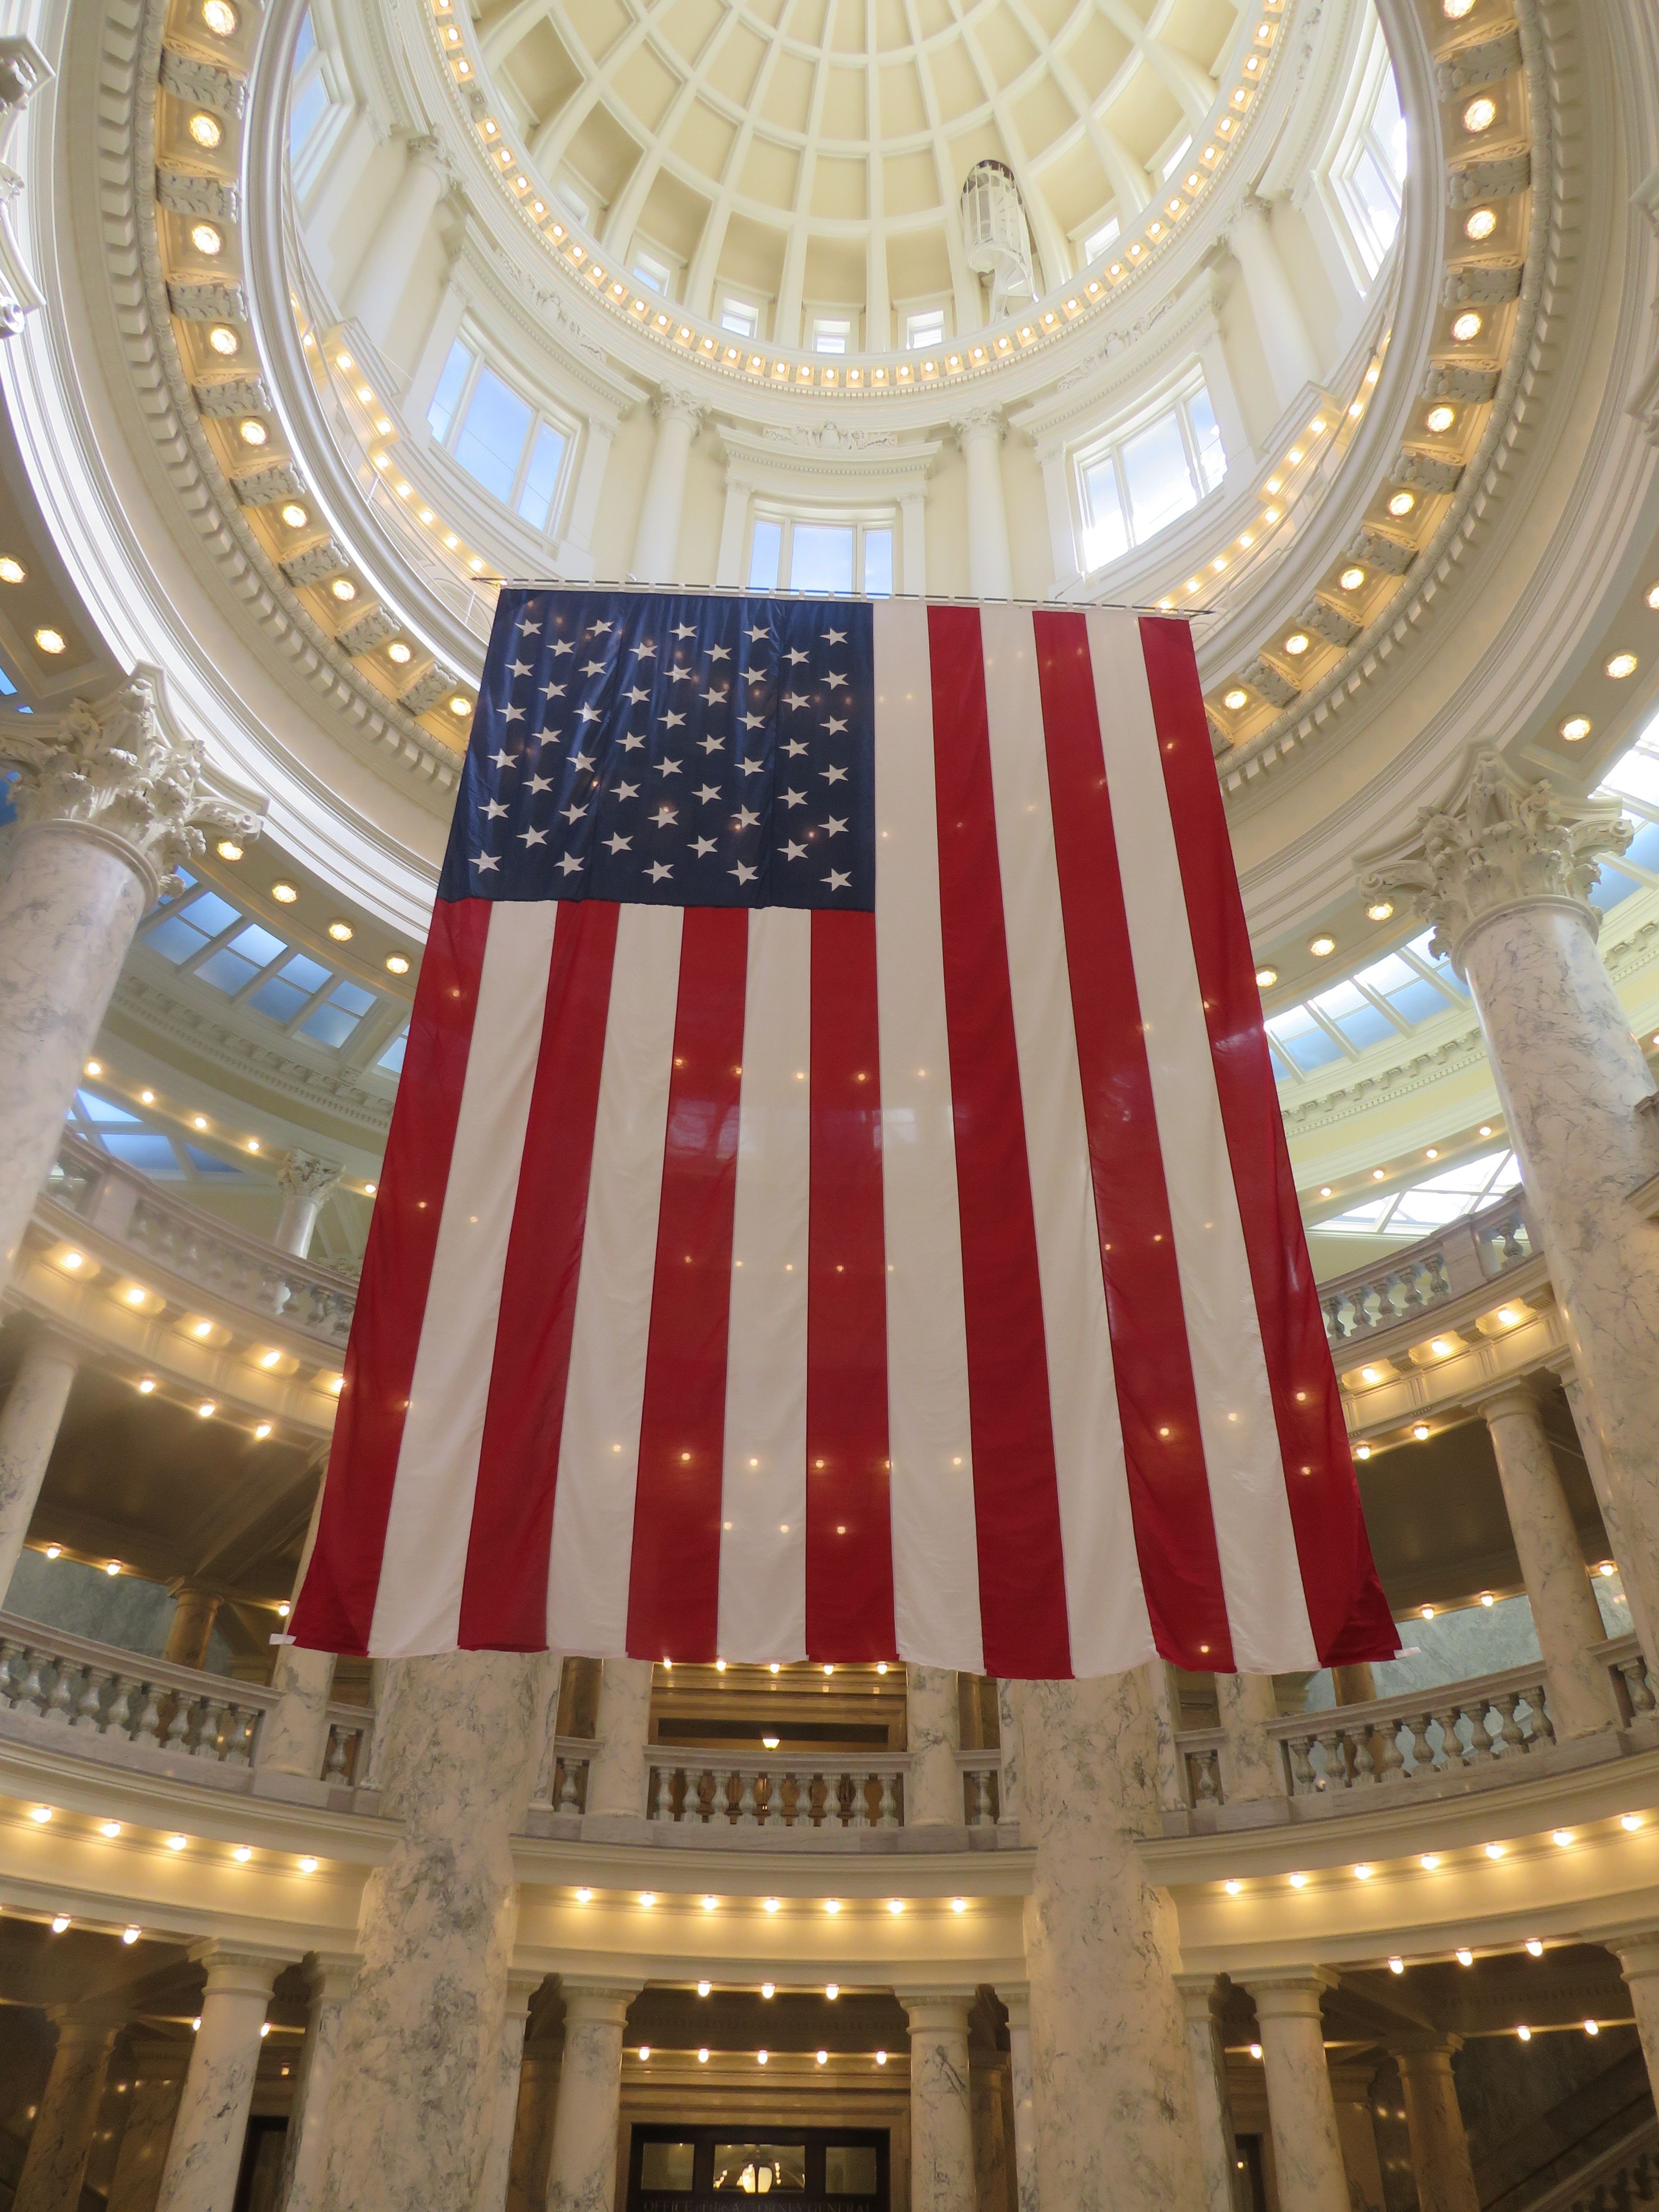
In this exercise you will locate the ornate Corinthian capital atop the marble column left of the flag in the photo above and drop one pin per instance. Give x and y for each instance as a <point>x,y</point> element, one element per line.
<point>114,773</point>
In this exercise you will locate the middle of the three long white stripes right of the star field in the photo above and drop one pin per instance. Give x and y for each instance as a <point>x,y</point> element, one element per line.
<point>1105,1600</point>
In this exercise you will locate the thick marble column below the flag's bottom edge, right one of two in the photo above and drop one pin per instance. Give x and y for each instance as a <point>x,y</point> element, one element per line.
<point>1114,2083</point>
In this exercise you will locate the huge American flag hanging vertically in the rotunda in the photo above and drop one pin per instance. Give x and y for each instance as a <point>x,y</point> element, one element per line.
<point>837,1204</point>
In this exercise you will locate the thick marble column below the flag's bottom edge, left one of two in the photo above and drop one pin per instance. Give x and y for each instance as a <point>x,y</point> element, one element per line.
<point>424,2025</point>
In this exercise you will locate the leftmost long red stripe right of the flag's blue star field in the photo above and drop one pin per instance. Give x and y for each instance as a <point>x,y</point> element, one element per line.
<point>1016,1494</point>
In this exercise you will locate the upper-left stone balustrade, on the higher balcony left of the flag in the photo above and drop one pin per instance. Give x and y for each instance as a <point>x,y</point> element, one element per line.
<point>145,1229</point>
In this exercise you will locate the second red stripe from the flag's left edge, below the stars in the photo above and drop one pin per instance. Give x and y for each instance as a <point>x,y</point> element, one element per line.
<point>503,1603</point>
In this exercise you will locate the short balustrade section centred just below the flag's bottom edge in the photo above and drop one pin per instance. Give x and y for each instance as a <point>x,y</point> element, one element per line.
<point>733,1793</point>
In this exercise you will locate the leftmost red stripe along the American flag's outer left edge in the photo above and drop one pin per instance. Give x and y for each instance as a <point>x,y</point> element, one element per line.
<point>337,1605</point>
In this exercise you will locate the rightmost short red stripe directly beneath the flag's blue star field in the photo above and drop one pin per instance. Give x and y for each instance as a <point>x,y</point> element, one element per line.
<point>851,1541</point>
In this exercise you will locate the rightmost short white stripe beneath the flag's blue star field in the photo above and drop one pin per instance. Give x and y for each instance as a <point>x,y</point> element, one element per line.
<point>764,1488</point>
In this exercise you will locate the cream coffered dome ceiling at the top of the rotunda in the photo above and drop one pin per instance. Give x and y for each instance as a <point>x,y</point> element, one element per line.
<point>811,154</point>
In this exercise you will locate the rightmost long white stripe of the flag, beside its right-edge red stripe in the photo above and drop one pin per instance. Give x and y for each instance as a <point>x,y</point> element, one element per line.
<point>1255,1538</point>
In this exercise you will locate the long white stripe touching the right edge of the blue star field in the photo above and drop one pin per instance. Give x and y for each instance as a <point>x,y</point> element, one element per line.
<point>937,1565</point>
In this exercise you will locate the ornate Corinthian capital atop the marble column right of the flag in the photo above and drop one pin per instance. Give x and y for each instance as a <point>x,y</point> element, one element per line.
<point>1499,844</point>
